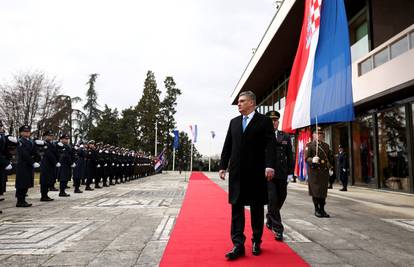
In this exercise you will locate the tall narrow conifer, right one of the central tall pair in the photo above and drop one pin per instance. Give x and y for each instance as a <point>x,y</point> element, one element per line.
<point>167,111</point>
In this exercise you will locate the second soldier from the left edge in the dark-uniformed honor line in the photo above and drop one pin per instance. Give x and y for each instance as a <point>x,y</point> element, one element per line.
<point>27,160</point>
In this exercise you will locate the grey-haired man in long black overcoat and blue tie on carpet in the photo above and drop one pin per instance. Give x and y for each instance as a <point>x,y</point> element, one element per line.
<point>248,153</point>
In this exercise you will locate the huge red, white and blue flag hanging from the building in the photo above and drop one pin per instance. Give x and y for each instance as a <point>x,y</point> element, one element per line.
<point>320,85</point>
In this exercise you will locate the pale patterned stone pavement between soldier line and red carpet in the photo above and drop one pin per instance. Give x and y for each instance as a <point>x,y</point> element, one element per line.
<point>123,225</point>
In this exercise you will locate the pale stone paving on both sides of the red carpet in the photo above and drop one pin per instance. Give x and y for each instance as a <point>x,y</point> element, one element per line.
<point>129,225</point>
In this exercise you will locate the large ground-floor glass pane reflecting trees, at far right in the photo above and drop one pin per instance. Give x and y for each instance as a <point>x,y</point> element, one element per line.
<point>392,149</point>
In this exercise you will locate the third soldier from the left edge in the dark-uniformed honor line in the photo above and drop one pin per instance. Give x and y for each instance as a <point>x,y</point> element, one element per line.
<point>48,165</point>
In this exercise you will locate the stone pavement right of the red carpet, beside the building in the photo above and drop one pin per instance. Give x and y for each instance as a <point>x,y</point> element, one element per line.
<point>366,228</point>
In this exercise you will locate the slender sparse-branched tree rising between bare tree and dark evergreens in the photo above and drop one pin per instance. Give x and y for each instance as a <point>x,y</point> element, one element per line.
<point>91,106</point>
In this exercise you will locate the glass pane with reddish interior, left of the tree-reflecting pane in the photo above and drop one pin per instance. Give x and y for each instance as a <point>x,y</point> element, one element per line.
<point>363,151</point>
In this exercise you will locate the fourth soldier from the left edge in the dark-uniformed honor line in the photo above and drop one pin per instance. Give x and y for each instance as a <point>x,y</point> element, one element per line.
<point>67,161</point>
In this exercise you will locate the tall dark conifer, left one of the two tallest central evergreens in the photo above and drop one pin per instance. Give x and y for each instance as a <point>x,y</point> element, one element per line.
<point>148,111</point>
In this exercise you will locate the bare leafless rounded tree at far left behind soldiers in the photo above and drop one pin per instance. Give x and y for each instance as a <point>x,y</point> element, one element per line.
<point>28,98</point>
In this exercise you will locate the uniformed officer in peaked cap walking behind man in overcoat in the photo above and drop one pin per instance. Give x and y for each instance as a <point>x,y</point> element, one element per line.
<point>277,187</point>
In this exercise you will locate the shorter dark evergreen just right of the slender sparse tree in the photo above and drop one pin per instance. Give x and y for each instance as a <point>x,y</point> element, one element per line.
<point>106,130</point>
